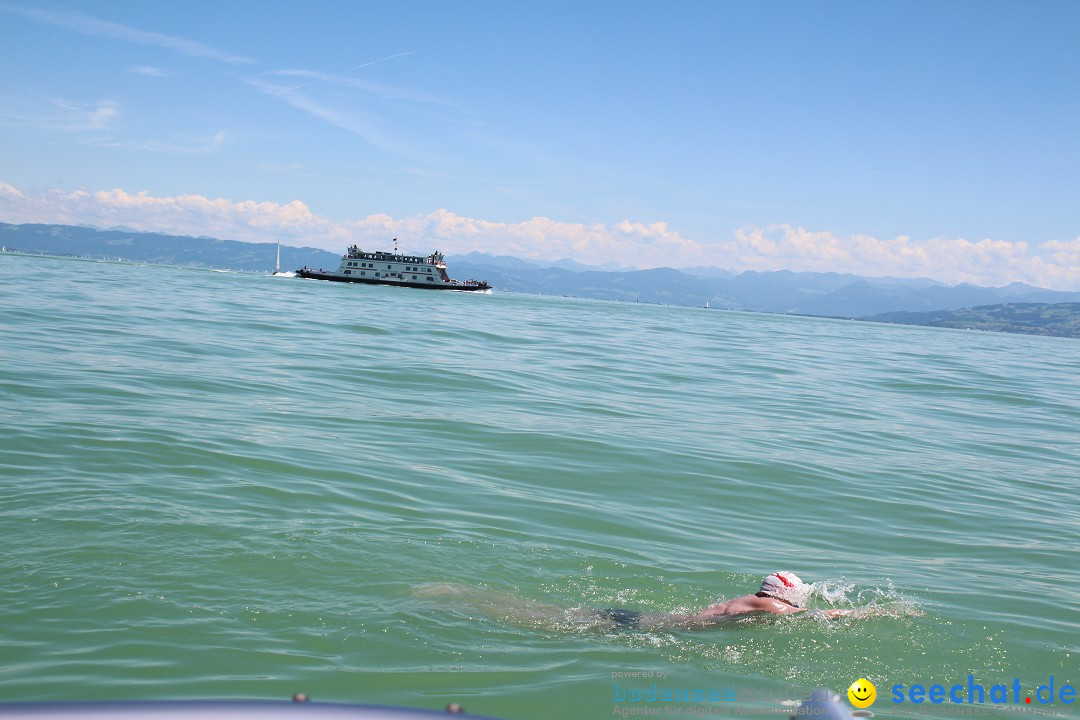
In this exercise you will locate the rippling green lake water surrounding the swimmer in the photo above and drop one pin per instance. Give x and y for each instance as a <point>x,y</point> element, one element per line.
<point>219,485</point>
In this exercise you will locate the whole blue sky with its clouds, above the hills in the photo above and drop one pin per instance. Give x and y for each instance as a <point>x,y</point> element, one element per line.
<point>887,139</point>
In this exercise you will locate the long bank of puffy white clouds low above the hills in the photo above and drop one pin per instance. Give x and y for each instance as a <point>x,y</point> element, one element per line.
<point>1055,264</point>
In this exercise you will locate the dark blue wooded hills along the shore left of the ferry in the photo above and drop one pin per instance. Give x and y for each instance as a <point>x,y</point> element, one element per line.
<point>159,249</point>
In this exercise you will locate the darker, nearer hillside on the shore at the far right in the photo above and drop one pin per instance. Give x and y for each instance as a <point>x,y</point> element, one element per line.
<point>1060,320</point>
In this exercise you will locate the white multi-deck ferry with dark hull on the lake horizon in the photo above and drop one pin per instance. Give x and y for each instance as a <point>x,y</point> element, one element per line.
<point>383,268</point>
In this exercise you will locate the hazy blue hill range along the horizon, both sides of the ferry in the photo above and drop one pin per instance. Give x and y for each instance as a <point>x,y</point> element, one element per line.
<point>836,295</point>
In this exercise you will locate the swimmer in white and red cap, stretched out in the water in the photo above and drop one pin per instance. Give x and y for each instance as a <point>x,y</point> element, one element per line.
<point>781,593</point>
